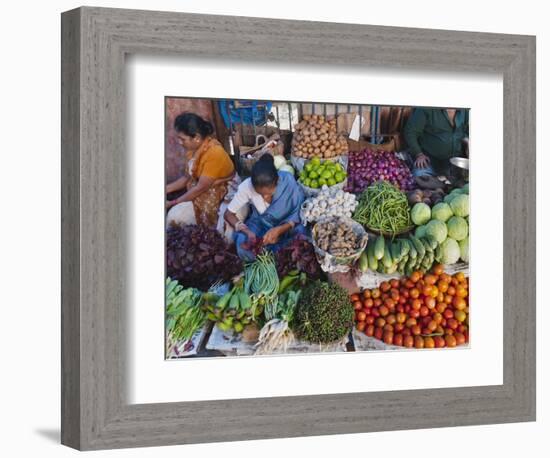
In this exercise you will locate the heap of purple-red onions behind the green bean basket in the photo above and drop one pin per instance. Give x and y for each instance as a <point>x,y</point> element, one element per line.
<point>368,166</point>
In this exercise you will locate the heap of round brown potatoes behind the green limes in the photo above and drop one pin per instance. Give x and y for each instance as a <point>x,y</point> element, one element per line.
<point>316,136</point>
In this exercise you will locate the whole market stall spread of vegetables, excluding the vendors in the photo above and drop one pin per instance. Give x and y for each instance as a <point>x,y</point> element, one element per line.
<point>382,264</point>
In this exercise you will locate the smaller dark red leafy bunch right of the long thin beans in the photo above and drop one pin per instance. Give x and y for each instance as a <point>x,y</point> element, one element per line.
<point>299,255</point>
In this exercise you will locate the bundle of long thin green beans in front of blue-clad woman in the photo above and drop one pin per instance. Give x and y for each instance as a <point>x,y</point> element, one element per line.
<point>261,280</point>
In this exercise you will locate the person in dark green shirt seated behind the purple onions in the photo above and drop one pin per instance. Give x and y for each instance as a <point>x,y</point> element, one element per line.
<point>434,135</point>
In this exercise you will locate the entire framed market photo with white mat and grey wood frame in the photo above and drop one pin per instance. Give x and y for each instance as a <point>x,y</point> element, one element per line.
<point>269,235</point>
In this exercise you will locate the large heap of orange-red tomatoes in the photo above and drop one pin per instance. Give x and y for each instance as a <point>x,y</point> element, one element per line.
<point>421,311</point>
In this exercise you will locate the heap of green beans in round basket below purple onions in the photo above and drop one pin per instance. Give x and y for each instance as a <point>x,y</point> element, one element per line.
<point>384,208</point>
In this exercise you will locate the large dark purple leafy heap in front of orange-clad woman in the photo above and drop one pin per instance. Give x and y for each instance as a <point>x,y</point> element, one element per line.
<point>198,256</point>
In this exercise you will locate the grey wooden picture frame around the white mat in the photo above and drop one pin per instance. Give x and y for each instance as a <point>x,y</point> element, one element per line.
<point>95,412</point>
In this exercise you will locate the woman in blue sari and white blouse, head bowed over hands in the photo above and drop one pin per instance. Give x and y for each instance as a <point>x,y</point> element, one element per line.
<point>275,199</point>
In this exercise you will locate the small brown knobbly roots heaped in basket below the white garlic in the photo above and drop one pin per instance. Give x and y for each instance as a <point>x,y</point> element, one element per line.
<point>337,237</point>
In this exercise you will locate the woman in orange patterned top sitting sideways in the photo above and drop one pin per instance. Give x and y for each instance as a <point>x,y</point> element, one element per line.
<point>209,168</point>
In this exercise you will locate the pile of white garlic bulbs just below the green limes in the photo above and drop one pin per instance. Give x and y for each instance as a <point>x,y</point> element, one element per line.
<point>328,203</point>
